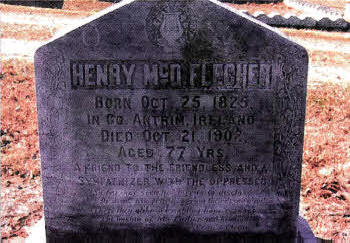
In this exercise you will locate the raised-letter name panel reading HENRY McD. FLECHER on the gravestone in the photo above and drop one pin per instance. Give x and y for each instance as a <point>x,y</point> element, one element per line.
<point>112,74</point>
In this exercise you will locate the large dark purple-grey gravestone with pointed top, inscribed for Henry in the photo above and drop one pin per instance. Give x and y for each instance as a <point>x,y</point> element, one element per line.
<point>163,121</point>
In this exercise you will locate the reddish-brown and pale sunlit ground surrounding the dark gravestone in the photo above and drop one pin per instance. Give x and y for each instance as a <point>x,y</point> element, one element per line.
<point>325,194</point>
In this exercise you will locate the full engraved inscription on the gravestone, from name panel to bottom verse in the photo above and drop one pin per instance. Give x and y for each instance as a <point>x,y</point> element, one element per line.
<point>210,139</point>
